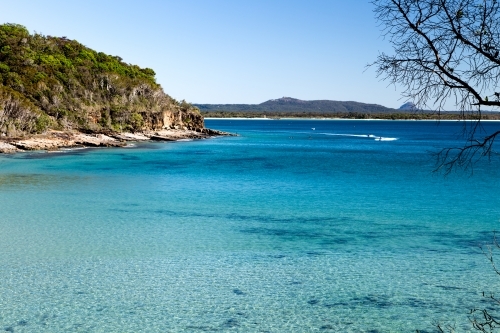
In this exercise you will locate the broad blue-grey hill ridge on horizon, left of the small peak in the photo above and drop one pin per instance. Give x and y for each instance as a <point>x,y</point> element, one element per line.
<point>288,104</point>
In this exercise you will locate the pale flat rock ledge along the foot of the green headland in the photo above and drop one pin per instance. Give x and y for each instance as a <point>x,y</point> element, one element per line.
<point>53,140</point>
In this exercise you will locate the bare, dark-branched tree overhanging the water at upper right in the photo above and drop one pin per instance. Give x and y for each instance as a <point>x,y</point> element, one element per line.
<point>445,50</point>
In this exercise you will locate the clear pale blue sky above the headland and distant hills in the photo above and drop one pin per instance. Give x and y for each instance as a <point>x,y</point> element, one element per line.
<point>228,51</point>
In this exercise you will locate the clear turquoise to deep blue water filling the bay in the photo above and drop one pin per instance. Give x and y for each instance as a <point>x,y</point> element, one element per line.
<point>281,229</point>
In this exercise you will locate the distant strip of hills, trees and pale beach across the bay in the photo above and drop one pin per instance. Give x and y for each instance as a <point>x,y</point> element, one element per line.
<point>288,107</point>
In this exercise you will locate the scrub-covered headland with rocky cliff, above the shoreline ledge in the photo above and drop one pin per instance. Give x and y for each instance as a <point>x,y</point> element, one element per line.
<point>56,83</point>
